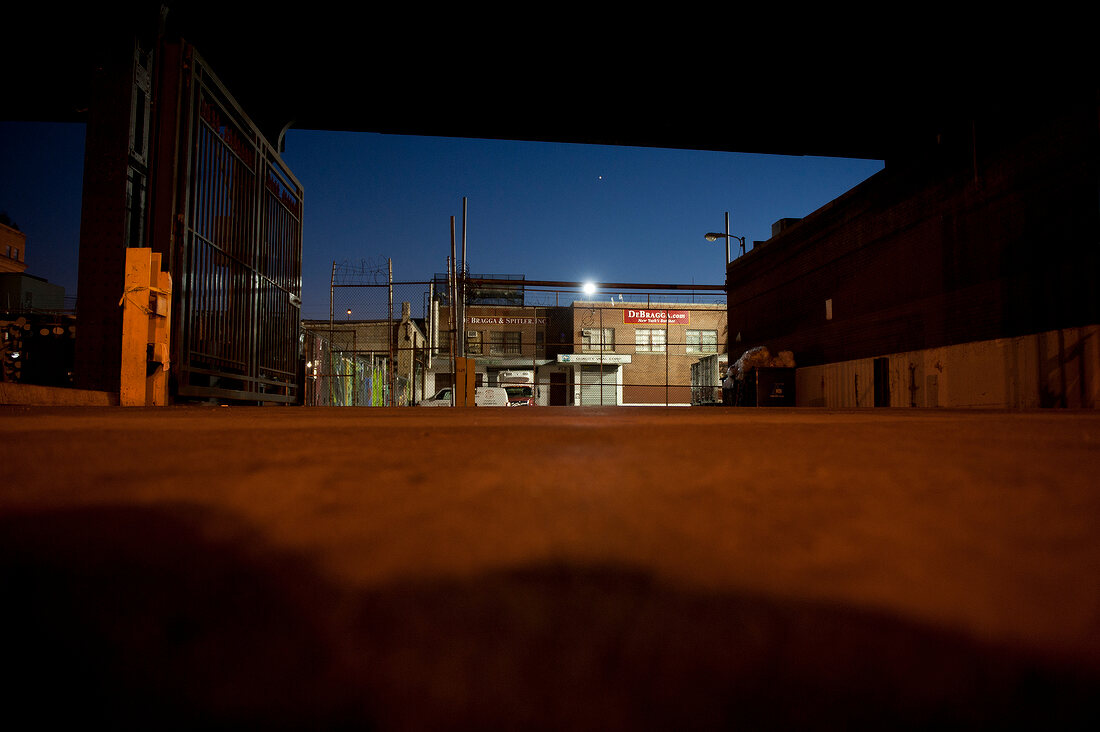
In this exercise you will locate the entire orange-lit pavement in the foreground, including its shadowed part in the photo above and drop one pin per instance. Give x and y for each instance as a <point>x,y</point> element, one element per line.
<point>549,569</point>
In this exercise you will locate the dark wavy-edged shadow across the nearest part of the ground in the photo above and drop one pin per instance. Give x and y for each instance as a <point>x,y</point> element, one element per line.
<point>181,619</point>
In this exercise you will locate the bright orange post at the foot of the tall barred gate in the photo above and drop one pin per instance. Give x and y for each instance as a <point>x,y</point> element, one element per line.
<point>147,310</point>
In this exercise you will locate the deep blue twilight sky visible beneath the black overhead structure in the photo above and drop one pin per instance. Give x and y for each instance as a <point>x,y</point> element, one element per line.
<point>547,211</point>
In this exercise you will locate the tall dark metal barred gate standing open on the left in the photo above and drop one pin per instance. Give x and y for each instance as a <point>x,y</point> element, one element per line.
<point>238,334</point>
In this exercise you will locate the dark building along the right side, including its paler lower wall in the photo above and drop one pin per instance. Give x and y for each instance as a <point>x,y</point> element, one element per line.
<point>966,276</point>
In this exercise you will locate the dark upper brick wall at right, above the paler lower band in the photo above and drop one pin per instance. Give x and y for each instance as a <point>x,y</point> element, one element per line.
<point>948,248</point>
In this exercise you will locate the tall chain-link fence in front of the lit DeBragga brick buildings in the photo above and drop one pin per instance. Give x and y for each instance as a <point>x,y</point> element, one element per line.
<point>391,344</point>
